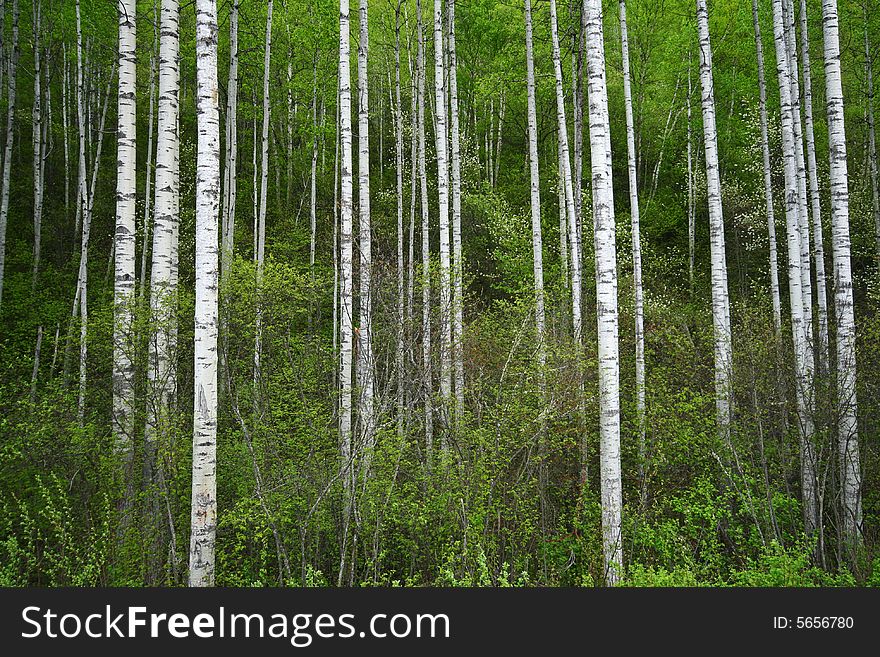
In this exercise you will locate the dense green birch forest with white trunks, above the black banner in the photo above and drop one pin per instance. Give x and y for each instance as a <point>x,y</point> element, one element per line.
<point>450,293</point>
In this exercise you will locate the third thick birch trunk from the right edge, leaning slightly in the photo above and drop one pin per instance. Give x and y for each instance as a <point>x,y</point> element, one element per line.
<point>720,298</point>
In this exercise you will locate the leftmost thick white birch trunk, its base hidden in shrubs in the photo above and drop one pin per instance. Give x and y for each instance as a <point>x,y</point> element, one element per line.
<point>124,243</point>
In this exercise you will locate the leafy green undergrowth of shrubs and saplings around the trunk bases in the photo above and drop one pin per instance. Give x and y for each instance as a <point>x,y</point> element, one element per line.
<point>697,511</point>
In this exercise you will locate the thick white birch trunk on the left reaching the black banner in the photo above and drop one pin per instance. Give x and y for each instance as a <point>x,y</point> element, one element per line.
<point>204,480</point>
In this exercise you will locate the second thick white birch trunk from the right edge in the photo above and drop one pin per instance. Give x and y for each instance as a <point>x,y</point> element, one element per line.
<point>799,322</point>
